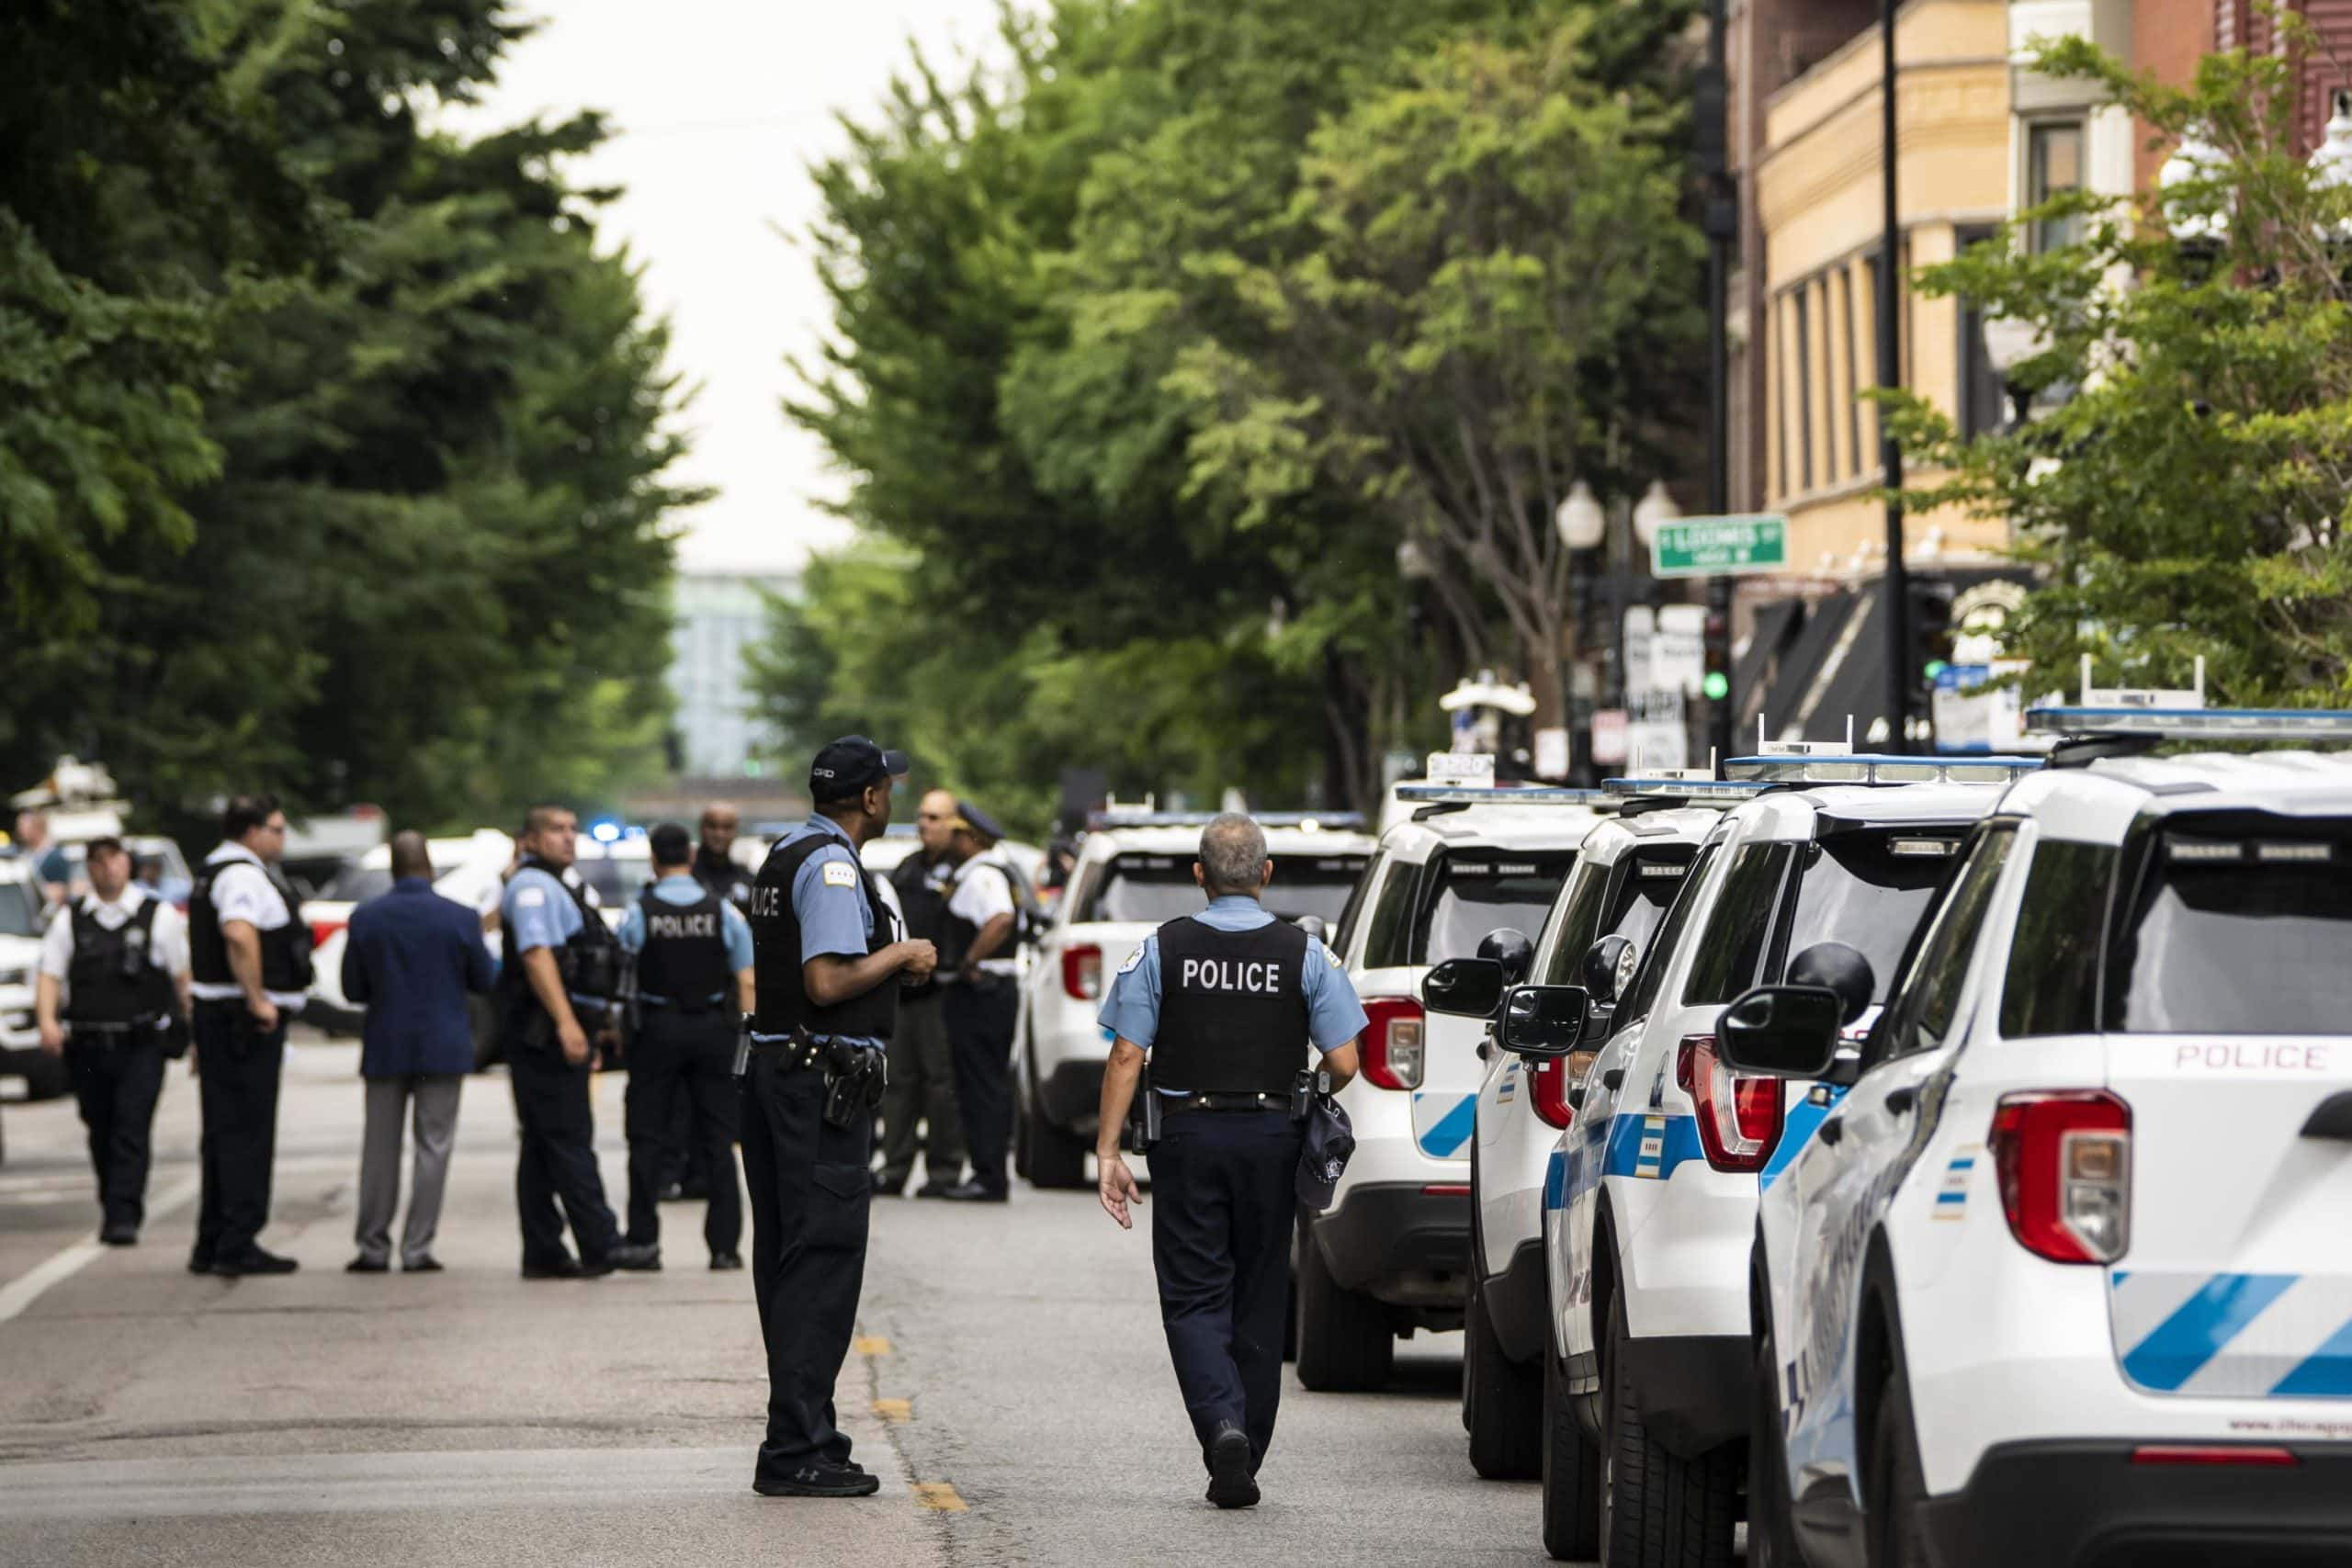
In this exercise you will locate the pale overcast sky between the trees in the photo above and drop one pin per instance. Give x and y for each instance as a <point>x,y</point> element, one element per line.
<point>721,107</point>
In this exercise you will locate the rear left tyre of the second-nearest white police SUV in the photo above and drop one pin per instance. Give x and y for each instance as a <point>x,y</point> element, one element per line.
<point>1659,1510</point>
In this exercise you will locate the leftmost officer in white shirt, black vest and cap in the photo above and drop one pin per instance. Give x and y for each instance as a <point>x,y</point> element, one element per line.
<point>121,963</point>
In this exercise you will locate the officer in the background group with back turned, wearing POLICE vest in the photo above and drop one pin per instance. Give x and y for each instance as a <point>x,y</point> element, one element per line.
<point>693,986</point>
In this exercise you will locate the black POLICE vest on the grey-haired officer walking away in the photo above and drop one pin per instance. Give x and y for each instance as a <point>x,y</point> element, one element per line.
<point>1234,1007</point>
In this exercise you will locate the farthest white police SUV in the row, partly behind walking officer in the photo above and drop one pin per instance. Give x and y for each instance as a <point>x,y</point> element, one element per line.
<point>1132,876</point>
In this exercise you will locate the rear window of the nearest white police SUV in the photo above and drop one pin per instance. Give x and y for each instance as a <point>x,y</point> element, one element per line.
<point>2240,937</point>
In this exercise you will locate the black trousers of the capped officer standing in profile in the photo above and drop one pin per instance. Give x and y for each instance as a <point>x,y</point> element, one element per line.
<point>810,1198</point>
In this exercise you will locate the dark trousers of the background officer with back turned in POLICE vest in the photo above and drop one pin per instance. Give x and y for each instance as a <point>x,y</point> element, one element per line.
<point>683,1064</point>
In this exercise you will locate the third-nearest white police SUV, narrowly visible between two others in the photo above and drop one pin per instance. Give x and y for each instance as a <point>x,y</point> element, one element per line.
<point>1626,876</point>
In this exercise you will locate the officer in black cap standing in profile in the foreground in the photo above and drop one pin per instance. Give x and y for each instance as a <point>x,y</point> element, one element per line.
<point>829,972</point>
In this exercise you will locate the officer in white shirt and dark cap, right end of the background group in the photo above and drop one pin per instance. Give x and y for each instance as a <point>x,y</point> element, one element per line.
<point>984,1000</point>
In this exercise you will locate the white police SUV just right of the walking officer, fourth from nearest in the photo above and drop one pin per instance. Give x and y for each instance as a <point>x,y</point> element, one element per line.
<point>1394,1252</point>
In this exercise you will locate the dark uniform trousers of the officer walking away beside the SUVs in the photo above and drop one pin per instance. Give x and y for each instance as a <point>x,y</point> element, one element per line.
<point>1224,1205</point>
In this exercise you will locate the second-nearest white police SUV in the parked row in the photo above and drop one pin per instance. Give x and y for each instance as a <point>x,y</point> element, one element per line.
<point>1655,1198</point>
